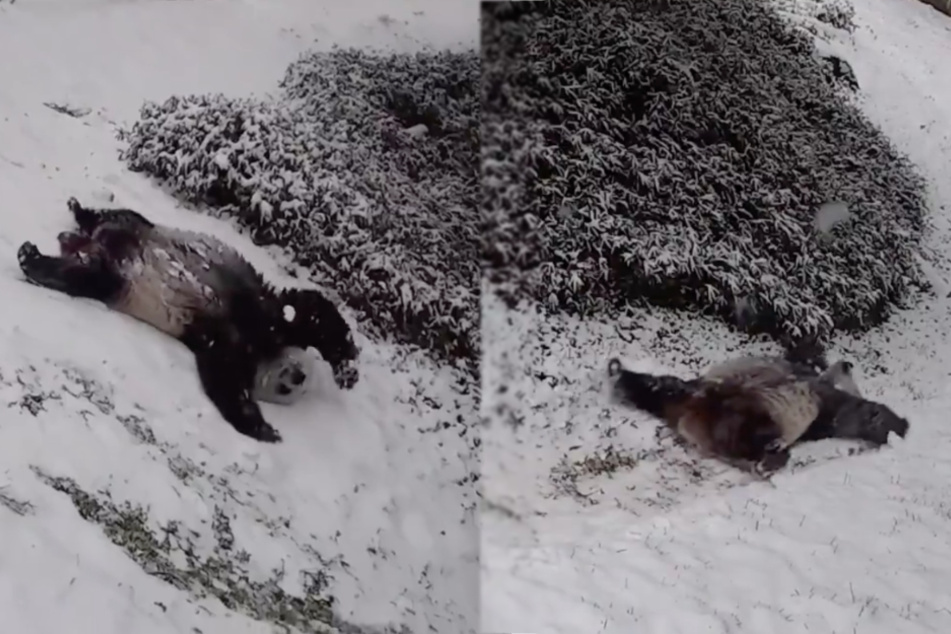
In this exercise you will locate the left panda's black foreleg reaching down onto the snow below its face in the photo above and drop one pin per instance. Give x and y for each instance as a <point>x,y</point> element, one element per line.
<point>227,377</point>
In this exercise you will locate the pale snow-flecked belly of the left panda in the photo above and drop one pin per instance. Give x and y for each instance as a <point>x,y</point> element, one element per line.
<point>166,289</point>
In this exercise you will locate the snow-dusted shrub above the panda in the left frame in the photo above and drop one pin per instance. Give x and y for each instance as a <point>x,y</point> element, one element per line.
<point>365,167</point>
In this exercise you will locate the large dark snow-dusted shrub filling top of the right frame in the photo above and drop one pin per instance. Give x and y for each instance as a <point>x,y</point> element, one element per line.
<point>678,153</point>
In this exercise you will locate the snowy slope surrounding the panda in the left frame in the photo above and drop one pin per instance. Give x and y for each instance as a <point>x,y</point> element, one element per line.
<point>364,488</point>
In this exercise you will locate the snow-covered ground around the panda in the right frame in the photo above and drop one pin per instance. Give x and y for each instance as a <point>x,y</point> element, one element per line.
<point>593,524</point>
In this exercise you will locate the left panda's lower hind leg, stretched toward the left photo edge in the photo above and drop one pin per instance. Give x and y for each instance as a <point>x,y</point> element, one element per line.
<point>90,279</point>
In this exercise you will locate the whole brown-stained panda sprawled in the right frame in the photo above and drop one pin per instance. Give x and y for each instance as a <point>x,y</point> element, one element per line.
<point>750,411</point>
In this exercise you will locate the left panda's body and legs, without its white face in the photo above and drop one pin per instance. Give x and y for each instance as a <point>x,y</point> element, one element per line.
<point>202,292</point>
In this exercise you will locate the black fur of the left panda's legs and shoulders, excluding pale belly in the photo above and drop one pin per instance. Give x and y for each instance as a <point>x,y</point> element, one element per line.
<point>248,330</point>
